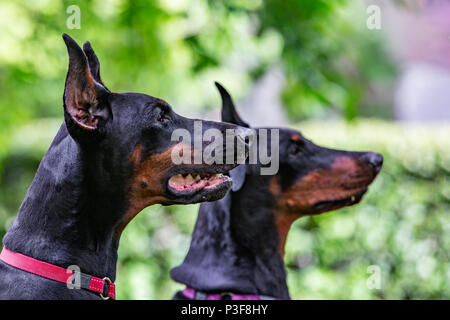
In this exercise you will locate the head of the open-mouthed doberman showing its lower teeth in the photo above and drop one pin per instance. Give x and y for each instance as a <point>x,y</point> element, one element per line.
<point>127,139</point>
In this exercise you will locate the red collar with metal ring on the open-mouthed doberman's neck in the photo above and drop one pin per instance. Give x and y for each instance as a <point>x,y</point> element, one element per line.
<point>105,287</point>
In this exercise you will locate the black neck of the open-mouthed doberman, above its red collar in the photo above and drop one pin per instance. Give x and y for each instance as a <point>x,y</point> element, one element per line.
<point>67,217</point>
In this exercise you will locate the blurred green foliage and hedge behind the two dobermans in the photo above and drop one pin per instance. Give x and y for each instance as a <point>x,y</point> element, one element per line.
<point>175,50</point>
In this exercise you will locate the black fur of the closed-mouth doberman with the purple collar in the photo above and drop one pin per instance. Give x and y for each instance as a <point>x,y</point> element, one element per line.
<point>235,245</point>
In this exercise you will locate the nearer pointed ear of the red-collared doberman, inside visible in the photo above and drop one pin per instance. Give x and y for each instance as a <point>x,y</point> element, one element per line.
<point>85,107</point>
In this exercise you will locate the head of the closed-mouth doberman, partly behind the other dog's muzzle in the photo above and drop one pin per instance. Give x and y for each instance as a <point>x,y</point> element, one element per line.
<point>311,179</point>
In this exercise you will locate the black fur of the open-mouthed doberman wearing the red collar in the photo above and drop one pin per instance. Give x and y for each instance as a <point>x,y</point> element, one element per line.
<point>82,187</point>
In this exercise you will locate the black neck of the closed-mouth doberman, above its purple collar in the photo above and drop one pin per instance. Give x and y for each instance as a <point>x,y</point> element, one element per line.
<point>235,247</point>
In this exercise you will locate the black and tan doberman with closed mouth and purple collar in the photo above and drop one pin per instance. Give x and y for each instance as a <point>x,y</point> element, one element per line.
<point>238,242</point>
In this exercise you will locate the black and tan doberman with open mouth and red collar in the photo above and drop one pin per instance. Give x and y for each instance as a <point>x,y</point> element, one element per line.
<point>110,159</point>
